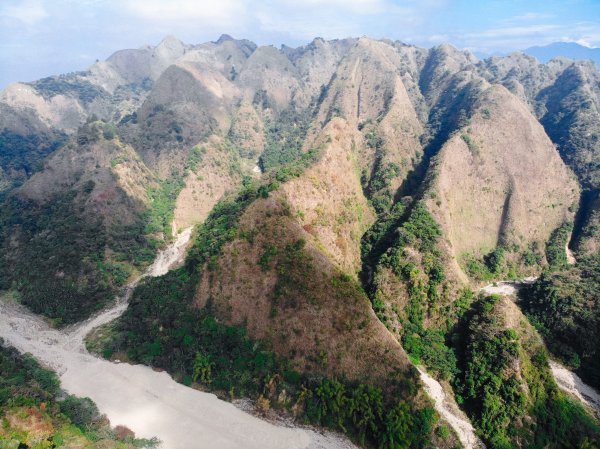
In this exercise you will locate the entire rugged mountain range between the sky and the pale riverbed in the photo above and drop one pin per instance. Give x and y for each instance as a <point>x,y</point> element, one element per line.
<point>349,199</point>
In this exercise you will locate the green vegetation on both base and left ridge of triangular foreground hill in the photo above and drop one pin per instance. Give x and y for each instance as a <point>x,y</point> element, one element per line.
<point>163,328</point>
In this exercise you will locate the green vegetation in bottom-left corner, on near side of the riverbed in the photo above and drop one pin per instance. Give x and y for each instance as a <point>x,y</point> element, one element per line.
<point>35,412</point>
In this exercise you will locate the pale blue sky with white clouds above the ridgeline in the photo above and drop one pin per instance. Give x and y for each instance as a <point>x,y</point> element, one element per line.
<point>46,37</point>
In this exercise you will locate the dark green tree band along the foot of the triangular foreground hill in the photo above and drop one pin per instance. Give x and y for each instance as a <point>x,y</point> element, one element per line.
<point>162,328</point>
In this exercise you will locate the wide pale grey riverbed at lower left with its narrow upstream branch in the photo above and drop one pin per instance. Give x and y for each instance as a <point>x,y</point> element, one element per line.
<point>148,402</point>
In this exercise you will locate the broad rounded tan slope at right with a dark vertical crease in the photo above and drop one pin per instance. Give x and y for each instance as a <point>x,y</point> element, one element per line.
<point>499,180</point>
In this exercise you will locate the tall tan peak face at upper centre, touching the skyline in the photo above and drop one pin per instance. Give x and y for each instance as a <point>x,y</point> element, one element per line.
<point>368,90</point>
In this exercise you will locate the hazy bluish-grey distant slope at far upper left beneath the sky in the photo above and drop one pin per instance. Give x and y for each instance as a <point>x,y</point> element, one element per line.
<point>36,116</point>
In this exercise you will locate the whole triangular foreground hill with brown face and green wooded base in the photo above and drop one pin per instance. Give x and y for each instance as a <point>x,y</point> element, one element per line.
<point>300,335</point>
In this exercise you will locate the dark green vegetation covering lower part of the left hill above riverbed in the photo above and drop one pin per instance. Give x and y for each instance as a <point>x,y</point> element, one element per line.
<point>61,265</point>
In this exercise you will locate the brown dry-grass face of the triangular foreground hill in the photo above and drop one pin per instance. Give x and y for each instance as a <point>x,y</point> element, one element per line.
<point>301,301</point>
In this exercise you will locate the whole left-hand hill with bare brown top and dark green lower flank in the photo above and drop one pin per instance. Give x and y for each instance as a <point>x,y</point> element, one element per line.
<point>74,232</point>
